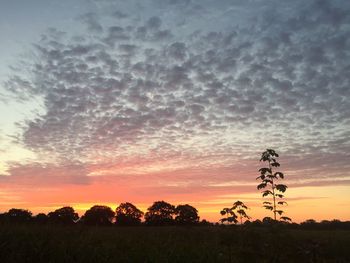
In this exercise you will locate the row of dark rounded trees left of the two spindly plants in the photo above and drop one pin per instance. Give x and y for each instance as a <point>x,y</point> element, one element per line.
<point>126,214</point>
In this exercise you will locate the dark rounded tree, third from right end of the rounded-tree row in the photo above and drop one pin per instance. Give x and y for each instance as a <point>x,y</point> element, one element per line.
<point>128,215</point>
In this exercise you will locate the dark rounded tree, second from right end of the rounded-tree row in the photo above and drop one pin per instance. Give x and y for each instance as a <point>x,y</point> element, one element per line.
<point>160,213</point>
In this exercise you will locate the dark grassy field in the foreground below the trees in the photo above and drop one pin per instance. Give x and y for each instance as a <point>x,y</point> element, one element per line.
<point>47,244</point>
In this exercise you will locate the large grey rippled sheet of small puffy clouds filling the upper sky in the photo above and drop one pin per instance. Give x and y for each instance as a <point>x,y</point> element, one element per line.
<point>142,89</point>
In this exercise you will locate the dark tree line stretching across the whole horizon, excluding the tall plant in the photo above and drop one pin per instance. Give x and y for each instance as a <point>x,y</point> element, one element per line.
<point>160,213</point>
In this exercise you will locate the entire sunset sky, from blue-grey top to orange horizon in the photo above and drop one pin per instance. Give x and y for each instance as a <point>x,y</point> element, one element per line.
<point>103,102</point>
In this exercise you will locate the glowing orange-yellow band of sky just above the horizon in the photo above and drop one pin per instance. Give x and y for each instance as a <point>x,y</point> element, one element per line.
<point>319,203</point>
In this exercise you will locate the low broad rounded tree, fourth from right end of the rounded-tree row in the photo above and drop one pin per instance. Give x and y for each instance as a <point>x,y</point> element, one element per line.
<point>98,215</point>
